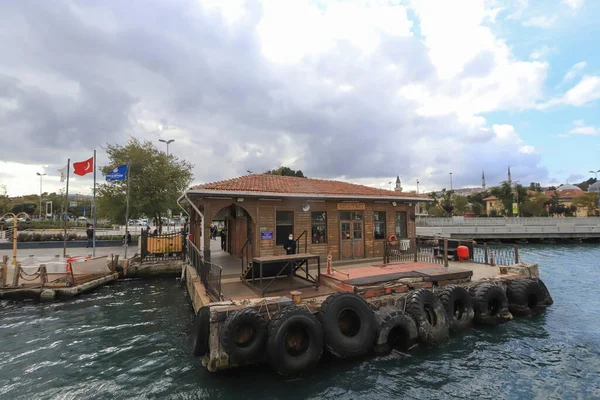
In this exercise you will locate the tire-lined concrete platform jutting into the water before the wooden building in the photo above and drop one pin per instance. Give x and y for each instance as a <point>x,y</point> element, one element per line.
<point>351,311</point>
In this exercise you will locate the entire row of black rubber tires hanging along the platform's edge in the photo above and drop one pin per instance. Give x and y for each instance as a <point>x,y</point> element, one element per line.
<point>292,342</point>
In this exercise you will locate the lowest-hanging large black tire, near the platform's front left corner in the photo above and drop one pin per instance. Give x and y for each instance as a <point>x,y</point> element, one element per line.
<point>296,340</point>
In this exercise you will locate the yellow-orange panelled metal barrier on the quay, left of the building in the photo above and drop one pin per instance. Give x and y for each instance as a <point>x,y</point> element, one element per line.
<point>170,246</point>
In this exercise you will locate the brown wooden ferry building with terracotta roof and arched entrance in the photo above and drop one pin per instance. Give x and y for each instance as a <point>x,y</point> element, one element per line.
<point>345,220</point>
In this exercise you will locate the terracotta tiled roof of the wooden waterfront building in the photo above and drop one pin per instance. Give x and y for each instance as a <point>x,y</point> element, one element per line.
<point>289,185</point>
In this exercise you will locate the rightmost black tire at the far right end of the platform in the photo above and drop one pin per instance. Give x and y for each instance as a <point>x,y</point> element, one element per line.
<point>526,297</point>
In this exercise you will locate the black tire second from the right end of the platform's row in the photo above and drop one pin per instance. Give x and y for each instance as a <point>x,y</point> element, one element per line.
<point>490,304</point>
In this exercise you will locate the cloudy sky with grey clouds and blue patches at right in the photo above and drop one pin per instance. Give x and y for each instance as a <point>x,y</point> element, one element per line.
<point>354,90</point>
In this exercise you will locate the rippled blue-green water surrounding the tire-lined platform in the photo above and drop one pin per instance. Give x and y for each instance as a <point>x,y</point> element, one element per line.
<point>129,340</point>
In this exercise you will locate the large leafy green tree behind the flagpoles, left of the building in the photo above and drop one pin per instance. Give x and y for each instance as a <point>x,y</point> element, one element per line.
<point>156,181</point>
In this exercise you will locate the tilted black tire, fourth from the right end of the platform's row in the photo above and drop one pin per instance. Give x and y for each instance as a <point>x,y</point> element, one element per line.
<point>429,315</point>
